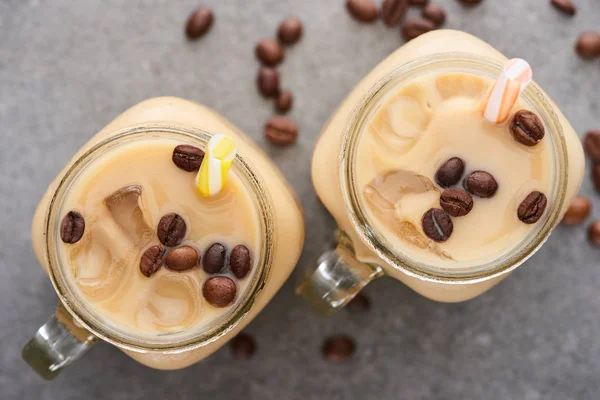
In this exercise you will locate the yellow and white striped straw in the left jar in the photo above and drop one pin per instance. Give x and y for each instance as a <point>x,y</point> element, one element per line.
<point>219,156</point>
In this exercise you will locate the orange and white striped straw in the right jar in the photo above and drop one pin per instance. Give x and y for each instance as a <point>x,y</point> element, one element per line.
<point>513,79</point>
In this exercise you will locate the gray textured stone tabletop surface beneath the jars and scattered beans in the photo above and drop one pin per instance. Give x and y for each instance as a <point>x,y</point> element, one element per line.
<point>68,67</point>
